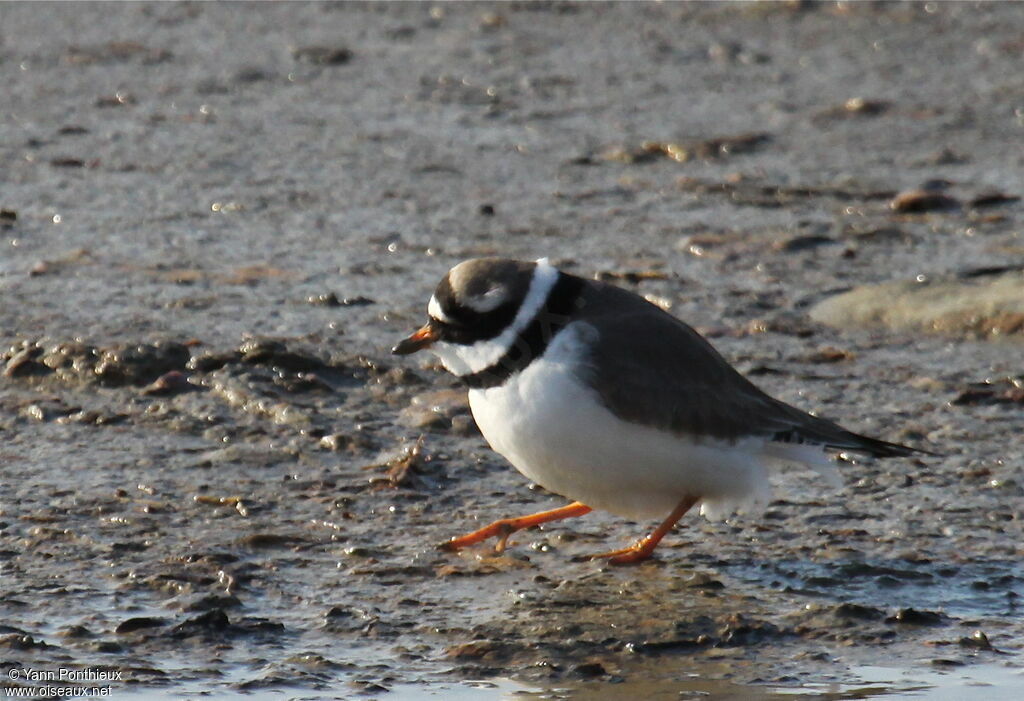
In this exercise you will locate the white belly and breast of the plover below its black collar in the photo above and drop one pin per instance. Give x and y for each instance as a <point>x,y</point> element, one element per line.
<point>554,430</point>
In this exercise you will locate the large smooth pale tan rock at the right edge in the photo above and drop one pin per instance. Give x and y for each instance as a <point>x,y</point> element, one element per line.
<point>988,306</point>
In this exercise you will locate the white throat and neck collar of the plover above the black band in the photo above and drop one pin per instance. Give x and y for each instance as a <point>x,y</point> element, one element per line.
<point>462,361</point>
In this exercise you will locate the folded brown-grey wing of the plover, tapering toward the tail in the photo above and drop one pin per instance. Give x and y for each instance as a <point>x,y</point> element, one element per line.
<point>650,368</point>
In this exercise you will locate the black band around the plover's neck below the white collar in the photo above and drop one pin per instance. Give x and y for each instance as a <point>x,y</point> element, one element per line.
<point>533,341</point>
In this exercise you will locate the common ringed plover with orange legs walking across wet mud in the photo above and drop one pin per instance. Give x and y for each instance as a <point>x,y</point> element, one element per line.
<point>603,398</point>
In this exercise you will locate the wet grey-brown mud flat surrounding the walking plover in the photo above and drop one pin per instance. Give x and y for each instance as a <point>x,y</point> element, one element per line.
<point>218,221</point>
